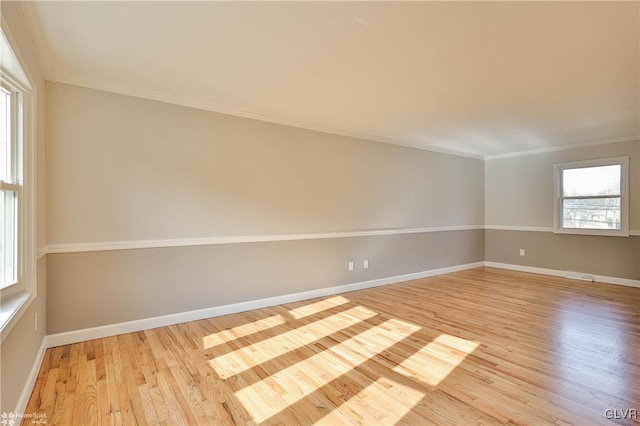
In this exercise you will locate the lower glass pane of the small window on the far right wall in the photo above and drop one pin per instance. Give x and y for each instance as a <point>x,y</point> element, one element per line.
<point>592,213</point>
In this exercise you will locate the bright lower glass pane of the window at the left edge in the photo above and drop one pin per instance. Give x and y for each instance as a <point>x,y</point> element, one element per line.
<point>8,240</point>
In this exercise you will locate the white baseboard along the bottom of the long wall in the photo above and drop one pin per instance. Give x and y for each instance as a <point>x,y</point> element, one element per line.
<point>161,321</point>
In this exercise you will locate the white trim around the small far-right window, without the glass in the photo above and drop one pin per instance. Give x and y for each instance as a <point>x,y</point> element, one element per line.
<point>624,196</point>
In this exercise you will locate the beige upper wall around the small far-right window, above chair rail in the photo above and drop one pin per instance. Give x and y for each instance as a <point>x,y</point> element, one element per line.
<point>519,190</point>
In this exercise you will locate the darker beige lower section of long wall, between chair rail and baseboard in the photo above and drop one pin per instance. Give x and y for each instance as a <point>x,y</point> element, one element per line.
<point>98,288</point>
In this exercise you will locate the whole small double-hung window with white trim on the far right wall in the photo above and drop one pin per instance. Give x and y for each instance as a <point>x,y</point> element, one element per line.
<point>592,197</point>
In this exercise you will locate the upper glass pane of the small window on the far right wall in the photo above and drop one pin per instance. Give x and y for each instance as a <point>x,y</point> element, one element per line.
<point>589,181</point>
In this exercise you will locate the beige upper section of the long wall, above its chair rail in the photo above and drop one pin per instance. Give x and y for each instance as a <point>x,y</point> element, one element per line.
<point>123,168</point>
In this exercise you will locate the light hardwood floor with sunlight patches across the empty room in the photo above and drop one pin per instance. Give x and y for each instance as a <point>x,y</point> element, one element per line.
<point>483,346</point>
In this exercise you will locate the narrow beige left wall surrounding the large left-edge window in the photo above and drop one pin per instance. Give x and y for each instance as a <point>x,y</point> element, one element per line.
<point>19,350</point>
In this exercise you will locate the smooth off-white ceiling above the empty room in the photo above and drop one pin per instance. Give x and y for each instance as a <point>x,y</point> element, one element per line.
<point>478,78</point>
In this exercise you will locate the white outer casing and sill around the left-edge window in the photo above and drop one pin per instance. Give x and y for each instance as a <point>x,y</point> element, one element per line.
<point>16,299</point>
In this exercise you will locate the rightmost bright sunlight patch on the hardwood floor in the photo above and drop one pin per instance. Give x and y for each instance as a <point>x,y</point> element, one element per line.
<point>435,361</point>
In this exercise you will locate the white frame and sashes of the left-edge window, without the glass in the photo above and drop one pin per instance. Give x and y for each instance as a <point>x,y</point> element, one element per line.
<point>17,297</point>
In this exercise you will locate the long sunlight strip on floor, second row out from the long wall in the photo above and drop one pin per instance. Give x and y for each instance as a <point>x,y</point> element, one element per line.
<point>246,357</point>
